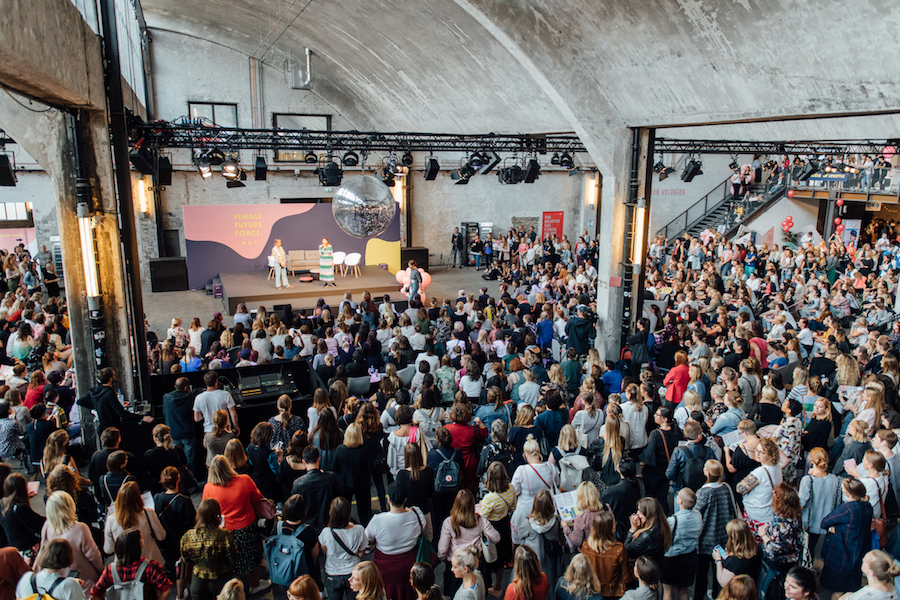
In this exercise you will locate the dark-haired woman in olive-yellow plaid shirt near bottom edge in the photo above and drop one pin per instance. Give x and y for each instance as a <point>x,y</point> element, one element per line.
<point>210,550</point>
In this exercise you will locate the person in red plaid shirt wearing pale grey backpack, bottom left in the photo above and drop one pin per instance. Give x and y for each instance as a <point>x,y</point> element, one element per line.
<point>126,578</point>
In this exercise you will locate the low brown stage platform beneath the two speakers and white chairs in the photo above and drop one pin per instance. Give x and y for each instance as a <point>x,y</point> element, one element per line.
<point>254,289</point>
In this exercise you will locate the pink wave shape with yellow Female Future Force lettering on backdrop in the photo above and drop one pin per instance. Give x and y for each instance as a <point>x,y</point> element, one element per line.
<point>244,228</point>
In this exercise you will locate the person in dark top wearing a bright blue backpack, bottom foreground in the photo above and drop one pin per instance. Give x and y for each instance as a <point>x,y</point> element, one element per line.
<point>293,550</point>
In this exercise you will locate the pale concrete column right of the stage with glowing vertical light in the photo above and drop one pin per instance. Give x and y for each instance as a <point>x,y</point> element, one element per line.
<point>611,231</point>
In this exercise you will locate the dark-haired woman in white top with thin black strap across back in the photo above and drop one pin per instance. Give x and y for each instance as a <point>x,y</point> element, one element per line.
<point>343,544</point>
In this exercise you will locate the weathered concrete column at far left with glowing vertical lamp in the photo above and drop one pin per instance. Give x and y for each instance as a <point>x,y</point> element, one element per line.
<point>46,136</point>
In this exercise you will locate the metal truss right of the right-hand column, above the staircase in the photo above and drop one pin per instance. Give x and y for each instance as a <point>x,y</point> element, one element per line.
<point>832,147</point>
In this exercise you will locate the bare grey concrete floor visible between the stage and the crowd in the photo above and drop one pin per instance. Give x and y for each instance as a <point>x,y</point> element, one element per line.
<point>161,307</point>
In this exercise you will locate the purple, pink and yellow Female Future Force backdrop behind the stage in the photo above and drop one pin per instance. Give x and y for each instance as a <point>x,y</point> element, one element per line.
<point>238,238</point>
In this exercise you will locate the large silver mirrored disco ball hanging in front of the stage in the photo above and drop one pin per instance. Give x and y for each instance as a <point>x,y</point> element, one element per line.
<point>363,206</point>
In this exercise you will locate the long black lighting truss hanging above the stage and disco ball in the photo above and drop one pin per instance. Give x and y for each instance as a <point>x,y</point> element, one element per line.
<point>168,135</point>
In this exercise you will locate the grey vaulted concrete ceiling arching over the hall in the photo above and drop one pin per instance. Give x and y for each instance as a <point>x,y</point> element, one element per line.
<point>569,65</point>
